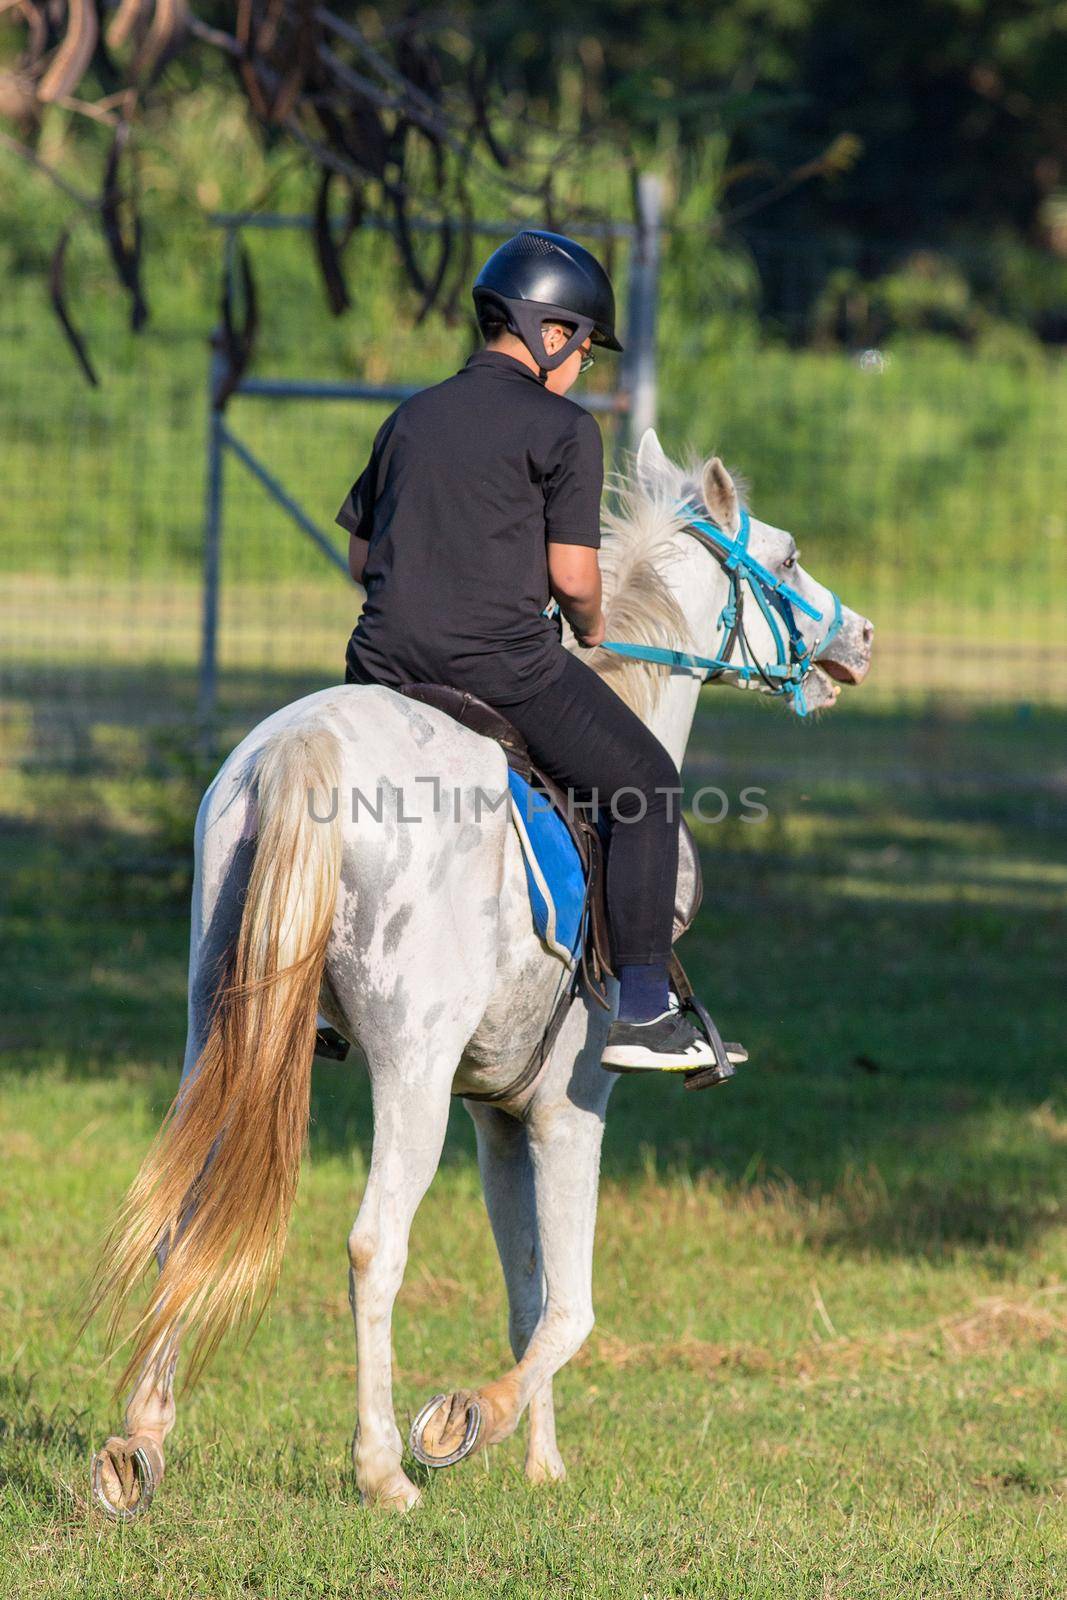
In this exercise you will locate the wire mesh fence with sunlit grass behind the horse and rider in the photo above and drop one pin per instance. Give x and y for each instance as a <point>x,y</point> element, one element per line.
<point>927,481</point>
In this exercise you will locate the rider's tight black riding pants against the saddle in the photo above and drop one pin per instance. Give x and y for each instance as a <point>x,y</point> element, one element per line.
<point>591,743</point>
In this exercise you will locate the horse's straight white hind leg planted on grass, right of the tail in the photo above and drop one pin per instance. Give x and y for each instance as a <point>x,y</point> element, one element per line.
<point>410,1122</point>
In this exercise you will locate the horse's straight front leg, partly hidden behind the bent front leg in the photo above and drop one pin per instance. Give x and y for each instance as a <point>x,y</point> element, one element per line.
<point>508,1182</point>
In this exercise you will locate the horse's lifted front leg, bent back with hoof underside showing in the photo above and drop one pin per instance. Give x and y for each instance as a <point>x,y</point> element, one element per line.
<point>565,1138</point>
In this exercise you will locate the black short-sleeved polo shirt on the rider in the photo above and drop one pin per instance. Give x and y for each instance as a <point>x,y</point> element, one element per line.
<point>466,484</point>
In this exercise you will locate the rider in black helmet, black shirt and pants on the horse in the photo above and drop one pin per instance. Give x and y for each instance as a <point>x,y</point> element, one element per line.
<point>481,498</point>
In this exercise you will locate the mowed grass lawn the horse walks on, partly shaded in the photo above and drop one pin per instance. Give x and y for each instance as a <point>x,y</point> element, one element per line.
<point>833,1297</point>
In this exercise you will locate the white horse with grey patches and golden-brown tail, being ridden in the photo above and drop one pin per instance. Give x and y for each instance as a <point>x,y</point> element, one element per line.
<point>350,865</point>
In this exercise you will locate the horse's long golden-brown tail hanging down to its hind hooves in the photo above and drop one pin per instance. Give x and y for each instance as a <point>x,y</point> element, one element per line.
<point>215,1193</point>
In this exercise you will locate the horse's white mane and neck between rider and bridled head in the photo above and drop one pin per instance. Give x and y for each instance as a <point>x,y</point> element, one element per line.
<point>641,538</point>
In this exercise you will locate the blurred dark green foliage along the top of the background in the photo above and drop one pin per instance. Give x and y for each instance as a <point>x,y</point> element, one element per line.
<point>813,148</point>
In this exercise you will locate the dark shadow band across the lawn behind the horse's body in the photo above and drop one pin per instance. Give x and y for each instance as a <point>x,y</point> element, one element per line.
<point>892,954</point>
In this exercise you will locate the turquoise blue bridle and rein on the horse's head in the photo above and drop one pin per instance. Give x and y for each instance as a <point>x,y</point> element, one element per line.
<point>777,601</point>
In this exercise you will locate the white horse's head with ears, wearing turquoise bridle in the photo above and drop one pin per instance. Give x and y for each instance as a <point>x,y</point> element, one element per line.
<point>785,615</point>
